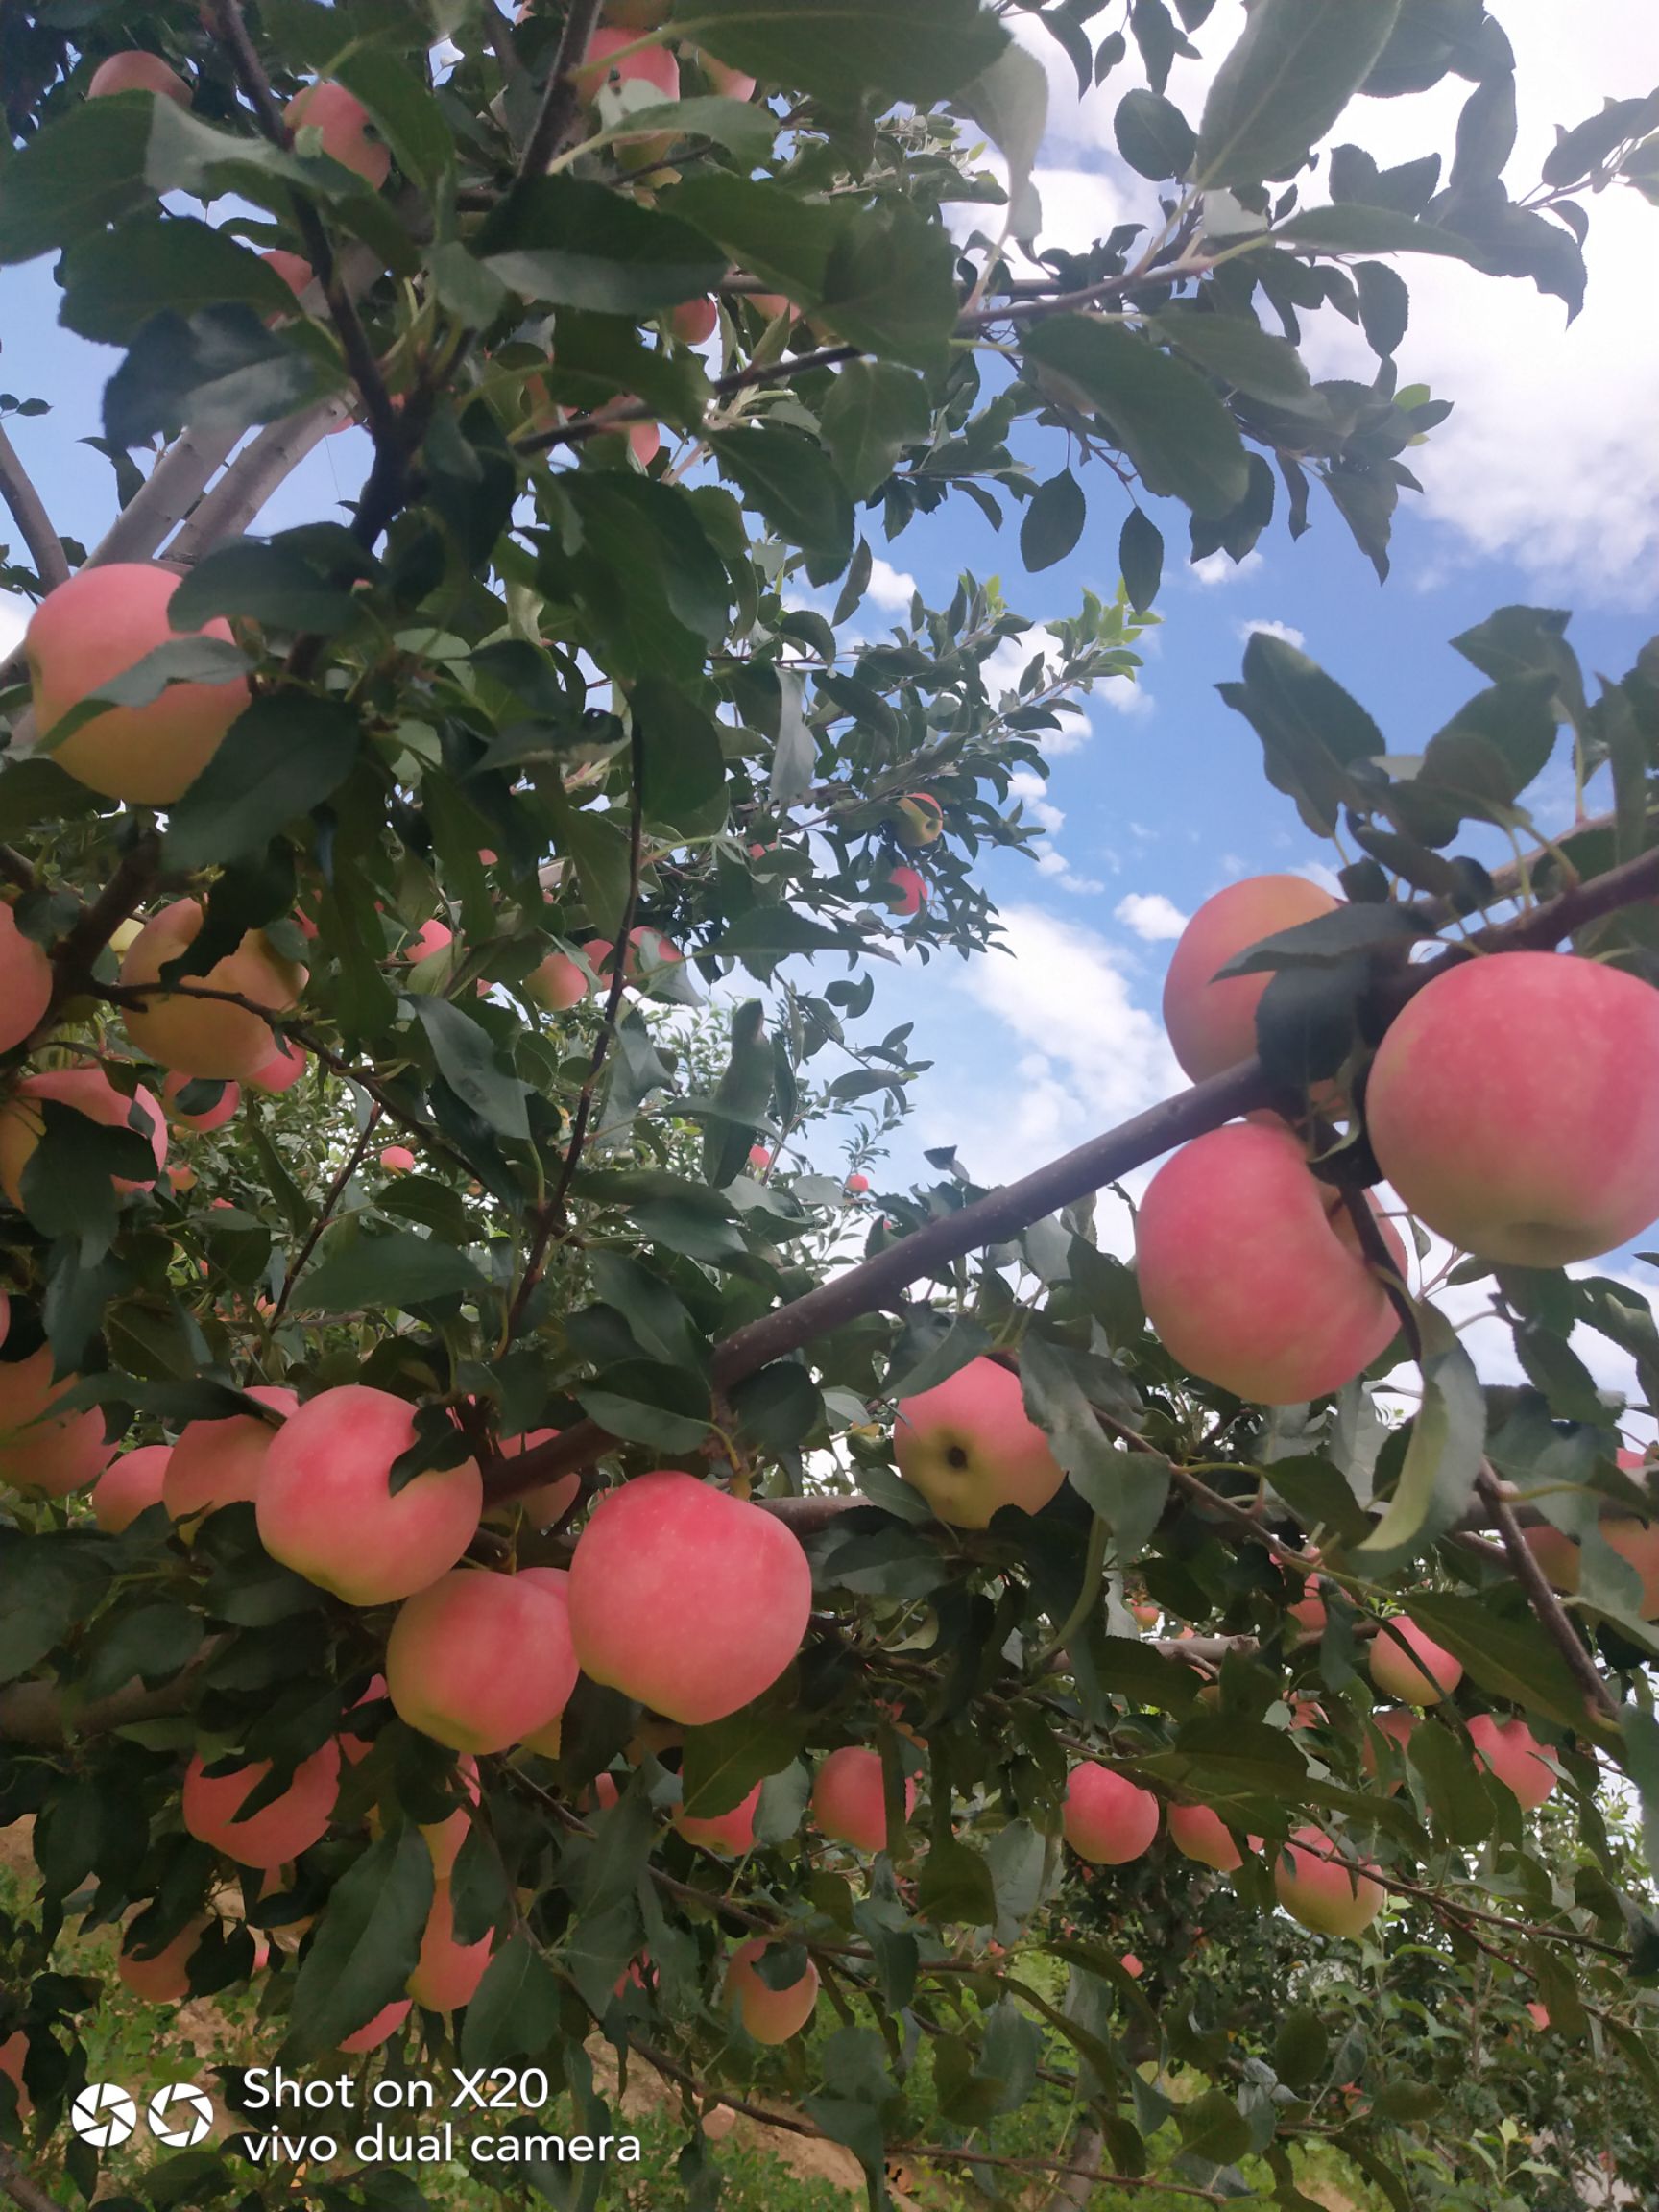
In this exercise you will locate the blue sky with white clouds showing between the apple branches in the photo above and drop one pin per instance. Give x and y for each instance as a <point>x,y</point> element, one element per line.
<point>1543,488</point>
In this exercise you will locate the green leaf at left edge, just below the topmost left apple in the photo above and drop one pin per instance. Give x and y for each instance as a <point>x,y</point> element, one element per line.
<point>76,176</point>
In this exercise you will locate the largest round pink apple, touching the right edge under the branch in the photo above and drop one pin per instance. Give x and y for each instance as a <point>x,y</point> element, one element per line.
<point>1514,1105</point>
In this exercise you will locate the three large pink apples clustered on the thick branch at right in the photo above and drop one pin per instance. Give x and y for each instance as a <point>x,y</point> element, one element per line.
<point>1514,1107</point>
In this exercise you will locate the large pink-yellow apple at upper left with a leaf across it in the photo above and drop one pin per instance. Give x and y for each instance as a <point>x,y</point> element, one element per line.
<point>94,629</point>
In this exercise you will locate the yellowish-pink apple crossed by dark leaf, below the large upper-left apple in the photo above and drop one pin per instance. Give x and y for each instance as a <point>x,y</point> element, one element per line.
<point>202,1036</point>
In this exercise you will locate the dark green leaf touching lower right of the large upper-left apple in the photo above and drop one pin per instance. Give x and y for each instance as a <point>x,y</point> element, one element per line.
<point>284,755</point>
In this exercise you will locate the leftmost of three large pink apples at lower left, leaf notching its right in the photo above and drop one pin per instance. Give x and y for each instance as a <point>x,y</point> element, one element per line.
<point>328,1512</point>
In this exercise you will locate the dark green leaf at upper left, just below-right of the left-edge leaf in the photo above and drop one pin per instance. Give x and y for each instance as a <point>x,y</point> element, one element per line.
<point>123,278</point>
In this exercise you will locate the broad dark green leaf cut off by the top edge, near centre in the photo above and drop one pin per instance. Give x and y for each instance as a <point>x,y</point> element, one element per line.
<point>842,50</point>
